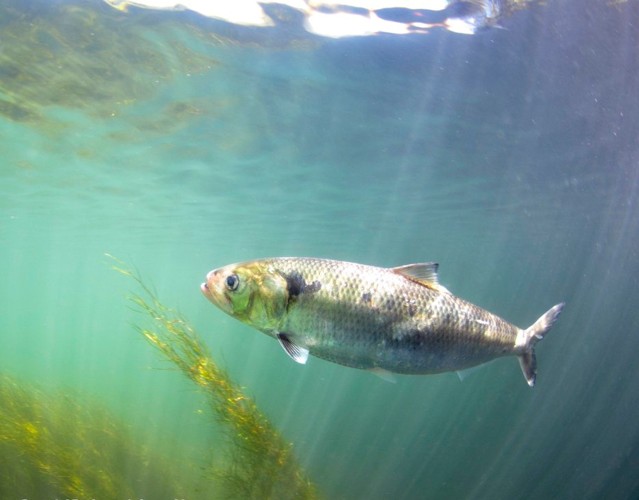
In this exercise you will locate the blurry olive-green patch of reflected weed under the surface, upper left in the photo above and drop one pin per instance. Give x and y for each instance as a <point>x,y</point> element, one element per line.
<point>84,55</point>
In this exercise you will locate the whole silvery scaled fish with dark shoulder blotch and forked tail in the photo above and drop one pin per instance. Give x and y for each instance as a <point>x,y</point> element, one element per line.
<point>386,320</point>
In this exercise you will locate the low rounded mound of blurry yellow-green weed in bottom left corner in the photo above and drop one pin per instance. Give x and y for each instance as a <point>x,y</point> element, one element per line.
<point>54,444</point>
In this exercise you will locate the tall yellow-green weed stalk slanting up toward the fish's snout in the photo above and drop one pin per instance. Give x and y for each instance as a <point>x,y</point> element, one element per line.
<point>262,463</point>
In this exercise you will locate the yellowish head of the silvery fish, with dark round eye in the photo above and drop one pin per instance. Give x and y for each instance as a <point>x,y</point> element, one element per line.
<point>252,292</point>
